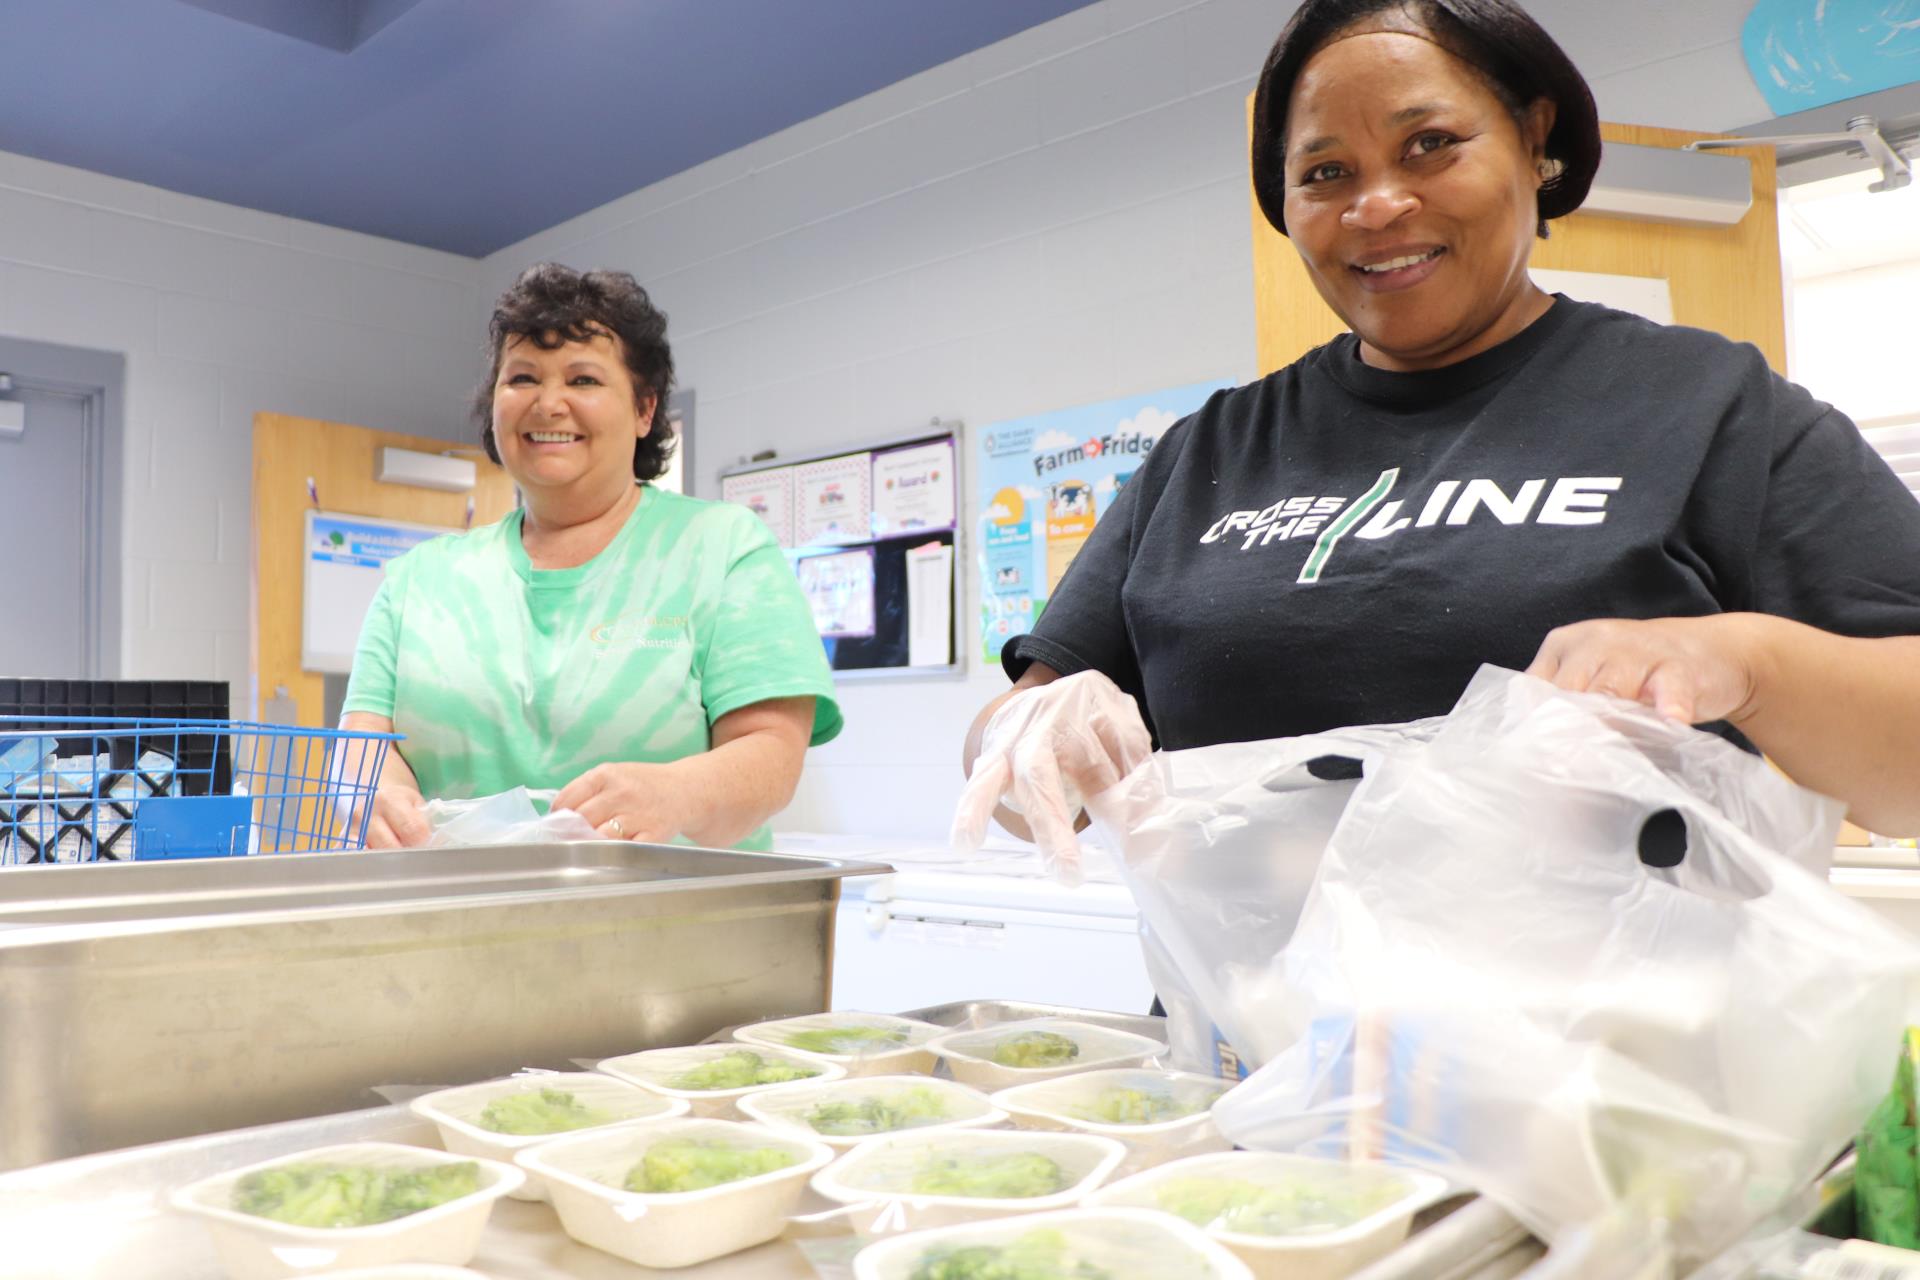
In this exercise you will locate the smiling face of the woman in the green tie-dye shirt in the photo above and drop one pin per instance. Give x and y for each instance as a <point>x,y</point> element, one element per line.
<point>565,421</point>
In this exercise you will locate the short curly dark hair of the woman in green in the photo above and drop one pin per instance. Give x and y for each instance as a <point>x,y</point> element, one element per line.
<point>552,306</point>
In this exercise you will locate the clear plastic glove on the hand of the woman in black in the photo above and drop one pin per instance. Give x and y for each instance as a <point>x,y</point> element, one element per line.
<point>1044,753</point>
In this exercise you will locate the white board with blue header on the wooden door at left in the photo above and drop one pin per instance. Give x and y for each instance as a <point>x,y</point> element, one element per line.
<point>345,559</point>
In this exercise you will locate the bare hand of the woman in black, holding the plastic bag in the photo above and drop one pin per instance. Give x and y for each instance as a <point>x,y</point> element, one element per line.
<point>1692,671</point>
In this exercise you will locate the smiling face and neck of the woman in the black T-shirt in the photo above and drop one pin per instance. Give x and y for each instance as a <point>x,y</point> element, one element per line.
<point>1412,197</point>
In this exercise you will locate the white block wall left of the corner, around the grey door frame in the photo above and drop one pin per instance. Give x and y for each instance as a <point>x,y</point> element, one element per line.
<point>220,314</point>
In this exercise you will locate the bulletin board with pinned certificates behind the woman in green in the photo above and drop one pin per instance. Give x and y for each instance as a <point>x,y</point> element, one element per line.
<point>873,540</point>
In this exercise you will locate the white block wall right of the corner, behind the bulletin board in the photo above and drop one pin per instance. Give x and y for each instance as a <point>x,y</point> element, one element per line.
<point>1055,220</point>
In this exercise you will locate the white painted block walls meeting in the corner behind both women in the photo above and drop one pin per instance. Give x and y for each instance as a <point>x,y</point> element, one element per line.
<point>1055,220</point>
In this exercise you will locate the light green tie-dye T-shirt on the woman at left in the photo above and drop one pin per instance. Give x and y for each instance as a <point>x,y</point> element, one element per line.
<point>502,675</point>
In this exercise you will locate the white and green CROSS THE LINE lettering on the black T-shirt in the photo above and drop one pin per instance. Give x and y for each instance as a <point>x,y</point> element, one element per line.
<point>1449,504</point>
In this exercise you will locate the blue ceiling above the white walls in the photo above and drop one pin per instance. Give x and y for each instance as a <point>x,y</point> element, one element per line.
<point>452,124</point>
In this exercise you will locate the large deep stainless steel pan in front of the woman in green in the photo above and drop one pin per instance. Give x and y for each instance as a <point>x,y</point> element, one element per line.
<point>156,1001</point>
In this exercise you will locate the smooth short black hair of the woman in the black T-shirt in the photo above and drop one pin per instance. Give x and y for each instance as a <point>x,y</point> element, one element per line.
<point>1497,37</point>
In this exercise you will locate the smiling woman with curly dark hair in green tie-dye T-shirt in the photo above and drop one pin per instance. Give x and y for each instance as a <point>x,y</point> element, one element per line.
<point>648,655</point>
